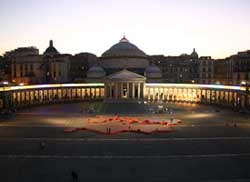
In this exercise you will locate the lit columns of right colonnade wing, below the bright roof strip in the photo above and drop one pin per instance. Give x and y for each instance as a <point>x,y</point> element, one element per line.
<point>234,98</point>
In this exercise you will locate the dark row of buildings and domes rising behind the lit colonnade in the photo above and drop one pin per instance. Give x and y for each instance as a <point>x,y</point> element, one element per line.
<point>27,66</point>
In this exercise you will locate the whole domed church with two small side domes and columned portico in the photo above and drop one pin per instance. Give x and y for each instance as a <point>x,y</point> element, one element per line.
<point>124,69</point>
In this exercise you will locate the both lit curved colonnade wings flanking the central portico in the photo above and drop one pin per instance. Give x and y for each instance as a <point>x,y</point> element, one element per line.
<point>28,95</point>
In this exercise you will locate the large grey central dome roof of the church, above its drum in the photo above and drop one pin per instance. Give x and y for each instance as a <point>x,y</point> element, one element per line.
<point>124,49</point>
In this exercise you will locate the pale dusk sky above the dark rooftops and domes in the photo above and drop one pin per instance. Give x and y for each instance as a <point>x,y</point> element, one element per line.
<point>216,28</point>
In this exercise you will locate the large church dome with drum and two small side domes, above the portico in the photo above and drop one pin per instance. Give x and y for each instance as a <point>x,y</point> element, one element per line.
<point>124,55</point>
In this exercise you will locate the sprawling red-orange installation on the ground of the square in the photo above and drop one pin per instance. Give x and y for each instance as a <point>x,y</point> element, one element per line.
<point>132,124</point>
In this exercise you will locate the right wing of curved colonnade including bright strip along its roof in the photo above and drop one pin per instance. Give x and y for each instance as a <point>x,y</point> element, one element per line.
<point>225,95</point>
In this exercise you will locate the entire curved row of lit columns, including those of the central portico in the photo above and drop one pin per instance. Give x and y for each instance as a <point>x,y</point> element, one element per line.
<point>22,96</point>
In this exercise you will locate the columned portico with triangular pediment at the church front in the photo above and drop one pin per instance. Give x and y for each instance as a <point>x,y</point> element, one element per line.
<point>126,86</point>
